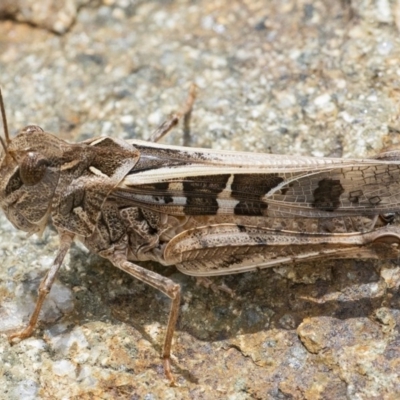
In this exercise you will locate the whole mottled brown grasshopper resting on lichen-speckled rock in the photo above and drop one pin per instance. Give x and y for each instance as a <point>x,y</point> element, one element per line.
<point>207,212</point>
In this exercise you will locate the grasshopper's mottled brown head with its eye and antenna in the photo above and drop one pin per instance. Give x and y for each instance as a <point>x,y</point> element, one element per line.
<point>29,172</point>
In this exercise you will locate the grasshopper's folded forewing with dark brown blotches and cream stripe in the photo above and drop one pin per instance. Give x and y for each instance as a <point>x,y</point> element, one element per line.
<point>181,181</point>
